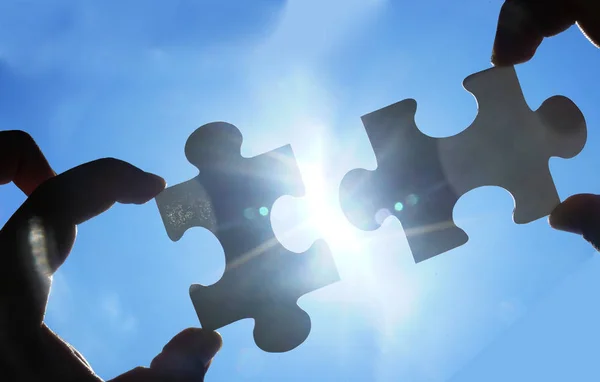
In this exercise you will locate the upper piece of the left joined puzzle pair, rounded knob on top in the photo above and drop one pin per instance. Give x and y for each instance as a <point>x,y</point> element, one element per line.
<point>215,149</point>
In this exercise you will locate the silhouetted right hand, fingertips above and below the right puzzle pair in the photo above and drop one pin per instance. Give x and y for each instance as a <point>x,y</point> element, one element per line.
<point>522,26</point>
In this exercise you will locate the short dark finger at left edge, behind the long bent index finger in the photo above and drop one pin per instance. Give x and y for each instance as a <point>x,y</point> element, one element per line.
<point>22,161</point>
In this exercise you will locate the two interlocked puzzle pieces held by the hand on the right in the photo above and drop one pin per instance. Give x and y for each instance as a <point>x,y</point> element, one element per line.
<point>420,178</point>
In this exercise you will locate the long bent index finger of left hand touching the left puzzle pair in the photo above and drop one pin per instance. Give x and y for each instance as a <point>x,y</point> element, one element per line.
<point>77,195</point>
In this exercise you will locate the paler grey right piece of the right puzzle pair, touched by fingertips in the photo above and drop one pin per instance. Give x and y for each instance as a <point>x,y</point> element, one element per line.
<point>509,145</point>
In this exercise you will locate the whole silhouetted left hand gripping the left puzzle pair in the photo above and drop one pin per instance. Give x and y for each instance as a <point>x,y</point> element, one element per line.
<point>38,238</point>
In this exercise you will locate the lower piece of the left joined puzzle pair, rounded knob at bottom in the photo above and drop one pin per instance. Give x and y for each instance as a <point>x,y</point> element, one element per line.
<point>280,325</point>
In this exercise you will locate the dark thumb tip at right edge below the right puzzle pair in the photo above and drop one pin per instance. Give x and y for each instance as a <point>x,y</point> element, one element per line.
<point>579,214</point>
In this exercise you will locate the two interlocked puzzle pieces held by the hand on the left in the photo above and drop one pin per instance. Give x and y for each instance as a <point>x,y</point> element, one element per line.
<point>231,197</point>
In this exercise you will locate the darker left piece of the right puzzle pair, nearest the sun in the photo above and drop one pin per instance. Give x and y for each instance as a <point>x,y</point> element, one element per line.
<point>409,183</point>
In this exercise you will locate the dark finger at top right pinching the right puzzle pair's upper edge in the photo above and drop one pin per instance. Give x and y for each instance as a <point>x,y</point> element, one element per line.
<point>523,24</point>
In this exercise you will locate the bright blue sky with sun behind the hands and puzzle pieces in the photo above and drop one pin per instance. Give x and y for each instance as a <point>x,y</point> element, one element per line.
<point>132,79</point>
